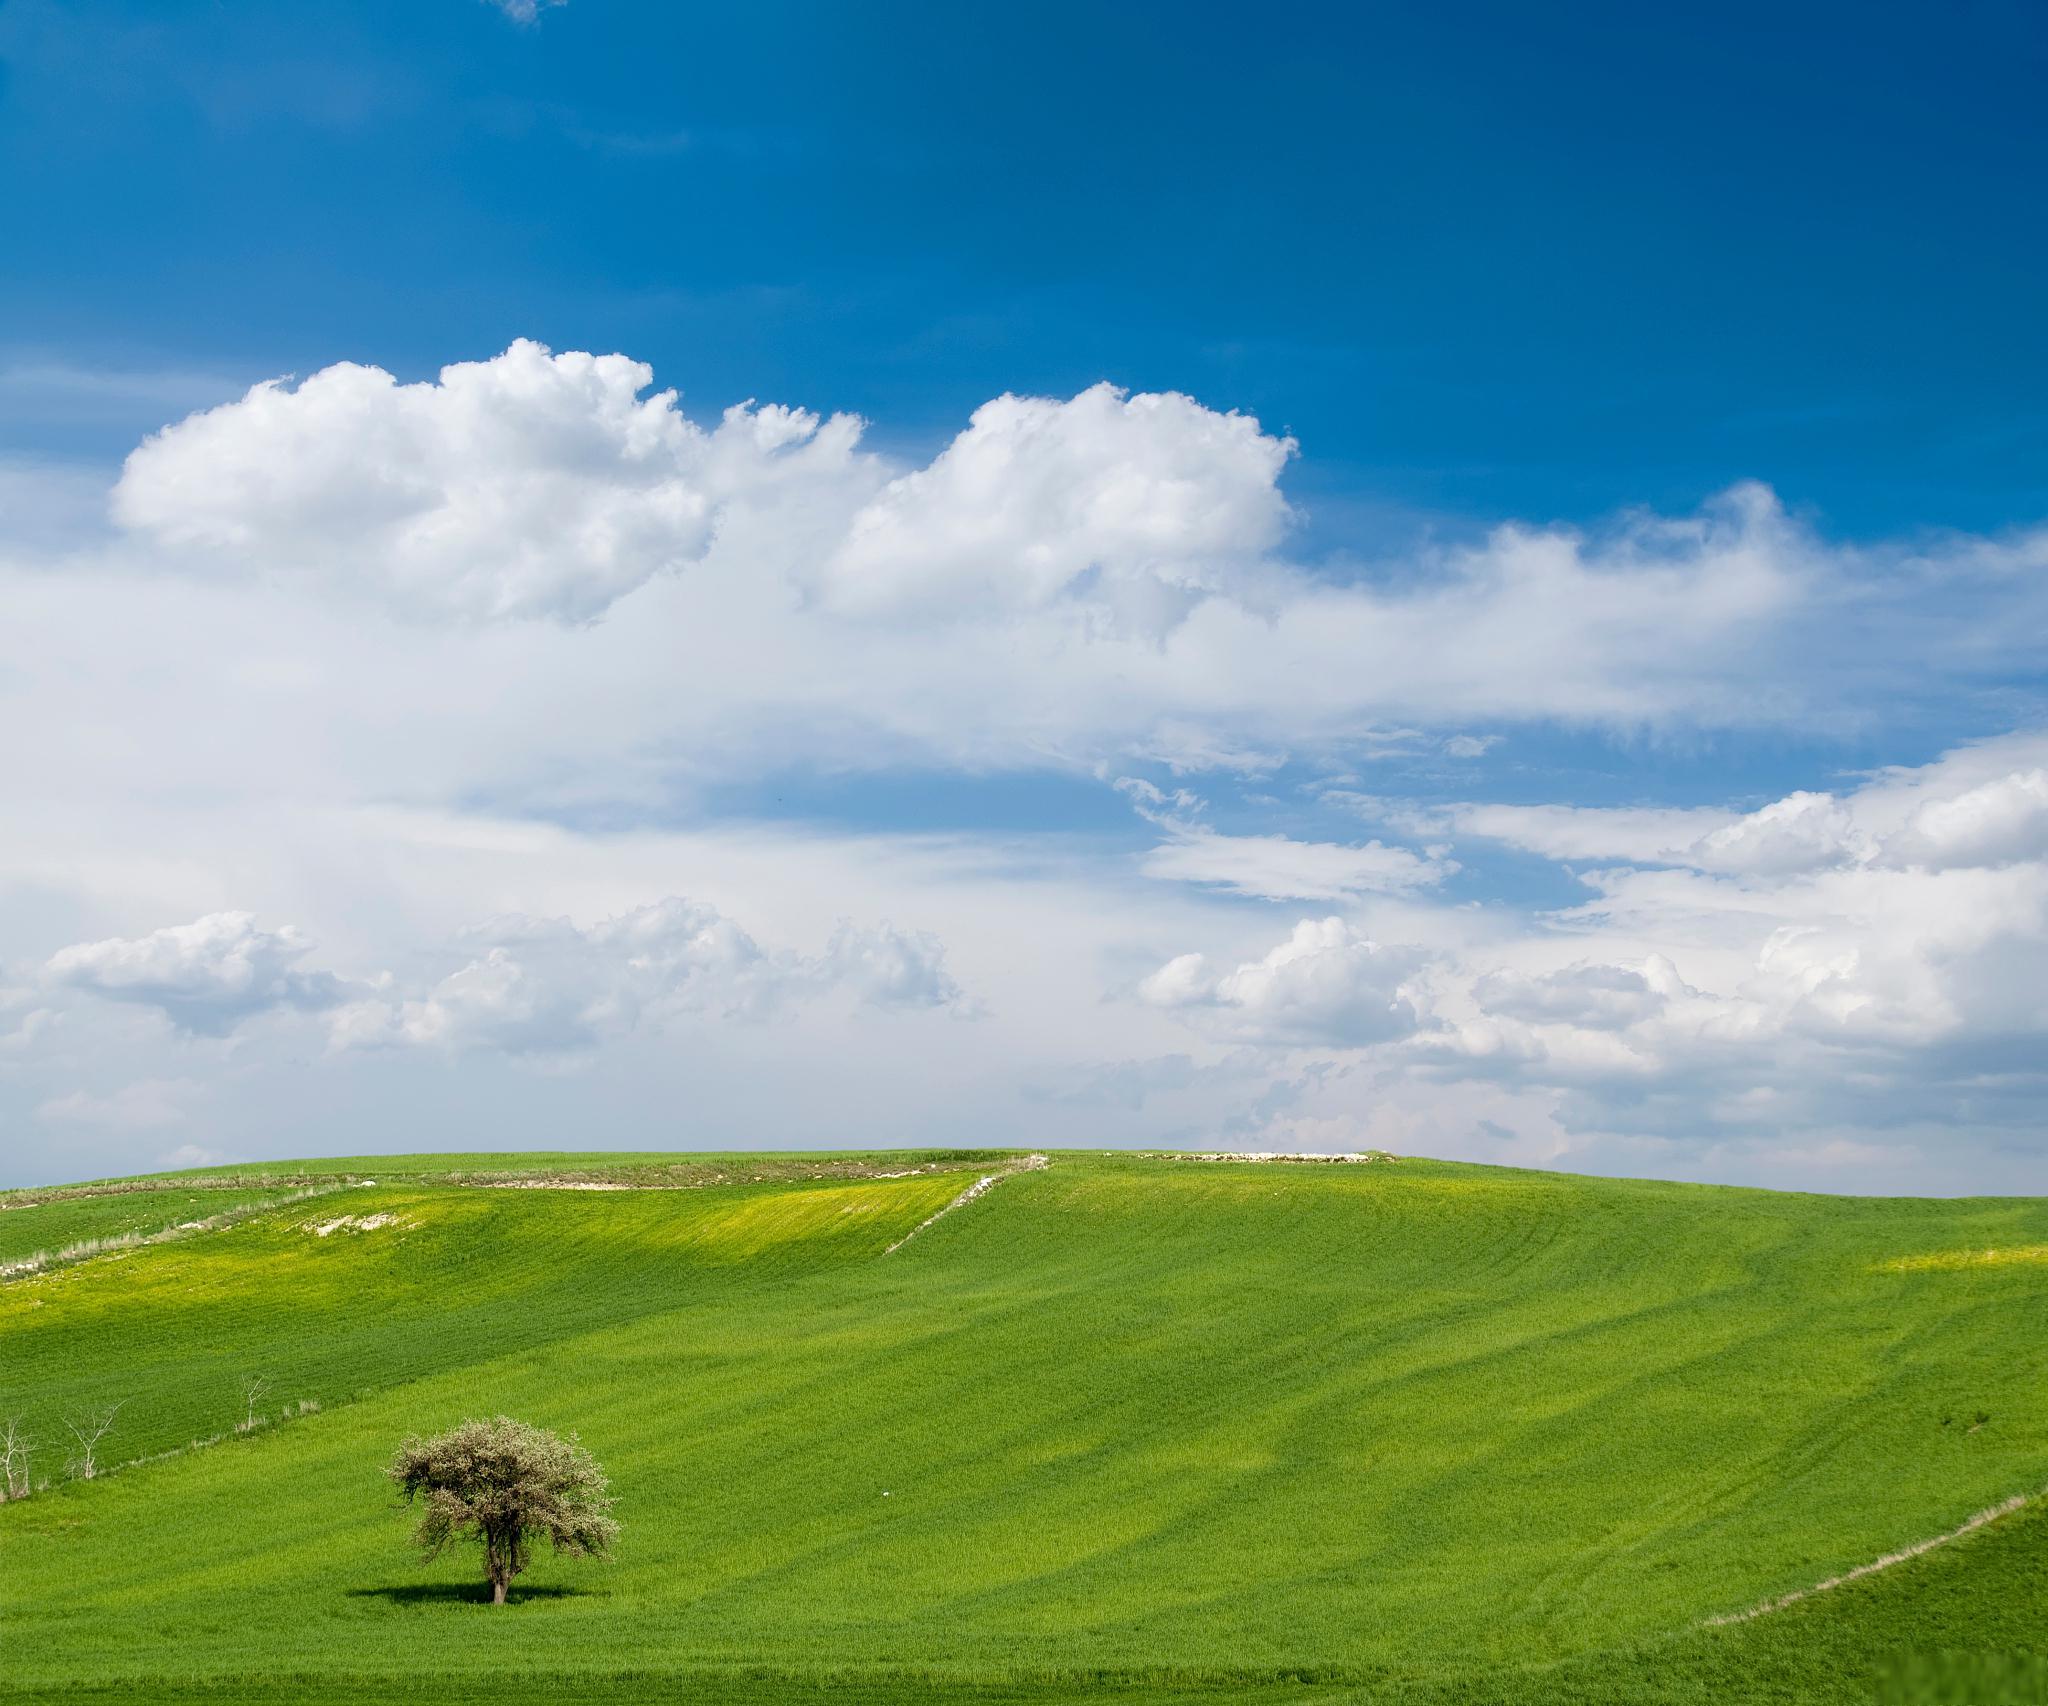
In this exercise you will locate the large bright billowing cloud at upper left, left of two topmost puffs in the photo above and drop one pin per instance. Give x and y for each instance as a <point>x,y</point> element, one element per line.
<point>531,484</point>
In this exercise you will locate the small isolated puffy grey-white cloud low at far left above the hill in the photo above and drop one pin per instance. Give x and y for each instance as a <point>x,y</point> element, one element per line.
<point>206,978</point>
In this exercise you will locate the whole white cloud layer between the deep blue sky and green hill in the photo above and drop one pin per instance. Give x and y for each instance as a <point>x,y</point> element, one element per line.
<point>386,730</point>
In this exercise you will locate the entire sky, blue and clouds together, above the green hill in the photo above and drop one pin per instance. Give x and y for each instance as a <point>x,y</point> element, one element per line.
<point>1650,437</point>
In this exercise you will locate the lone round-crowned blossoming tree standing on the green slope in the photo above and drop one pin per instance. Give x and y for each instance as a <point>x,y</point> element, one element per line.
<point>505,1484</point>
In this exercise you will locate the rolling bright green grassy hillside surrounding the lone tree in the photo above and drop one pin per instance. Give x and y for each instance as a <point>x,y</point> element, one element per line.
<point>1125,1426</point>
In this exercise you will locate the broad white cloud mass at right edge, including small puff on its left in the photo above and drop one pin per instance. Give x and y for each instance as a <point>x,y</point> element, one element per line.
<point>1826,964</point>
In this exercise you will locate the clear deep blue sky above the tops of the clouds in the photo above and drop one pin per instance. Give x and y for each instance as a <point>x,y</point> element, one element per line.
<point>1482,263</point>
